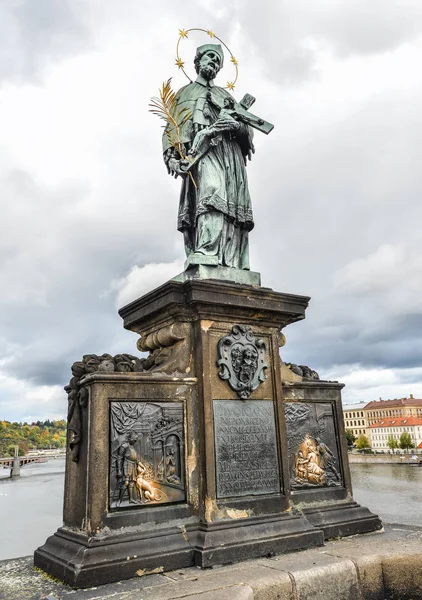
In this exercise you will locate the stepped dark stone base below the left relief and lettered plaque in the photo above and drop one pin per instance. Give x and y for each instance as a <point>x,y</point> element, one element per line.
<point>83,561</point>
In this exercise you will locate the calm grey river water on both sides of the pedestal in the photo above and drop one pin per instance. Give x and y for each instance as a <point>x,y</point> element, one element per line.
<point>31,506</point>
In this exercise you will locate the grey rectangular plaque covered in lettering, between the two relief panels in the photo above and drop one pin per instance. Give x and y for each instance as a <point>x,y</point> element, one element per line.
<point>245,448</point>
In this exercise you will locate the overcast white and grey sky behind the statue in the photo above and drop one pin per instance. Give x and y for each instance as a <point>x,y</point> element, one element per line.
<point>88,218</point>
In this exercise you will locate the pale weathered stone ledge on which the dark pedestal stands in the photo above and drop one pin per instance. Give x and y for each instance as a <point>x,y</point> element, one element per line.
<point>376,566</point>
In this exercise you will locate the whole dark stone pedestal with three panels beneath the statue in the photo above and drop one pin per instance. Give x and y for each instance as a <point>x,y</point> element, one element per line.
<point>197,460</point>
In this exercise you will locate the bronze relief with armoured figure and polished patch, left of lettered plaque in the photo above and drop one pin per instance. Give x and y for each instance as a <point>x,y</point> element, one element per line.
<point>146,453</point>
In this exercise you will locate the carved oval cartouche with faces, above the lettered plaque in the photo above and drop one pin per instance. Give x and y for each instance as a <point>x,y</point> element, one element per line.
<point>242,360</point>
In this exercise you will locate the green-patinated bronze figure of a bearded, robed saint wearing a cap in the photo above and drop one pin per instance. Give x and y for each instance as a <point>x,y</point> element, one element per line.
<point>215,212</point>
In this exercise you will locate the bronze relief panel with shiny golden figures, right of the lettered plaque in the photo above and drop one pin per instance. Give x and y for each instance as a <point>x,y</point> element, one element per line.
<point>312,445</point>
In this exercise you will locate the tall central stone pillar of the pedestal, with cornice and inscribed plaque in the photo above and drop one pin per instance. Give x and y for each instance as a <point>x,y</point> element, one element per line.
<point>243,490</point>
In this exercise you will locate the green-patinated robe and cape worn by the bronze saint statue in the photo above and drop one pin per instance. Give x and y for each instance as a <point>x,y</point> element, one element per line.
<point>215,217</point>
